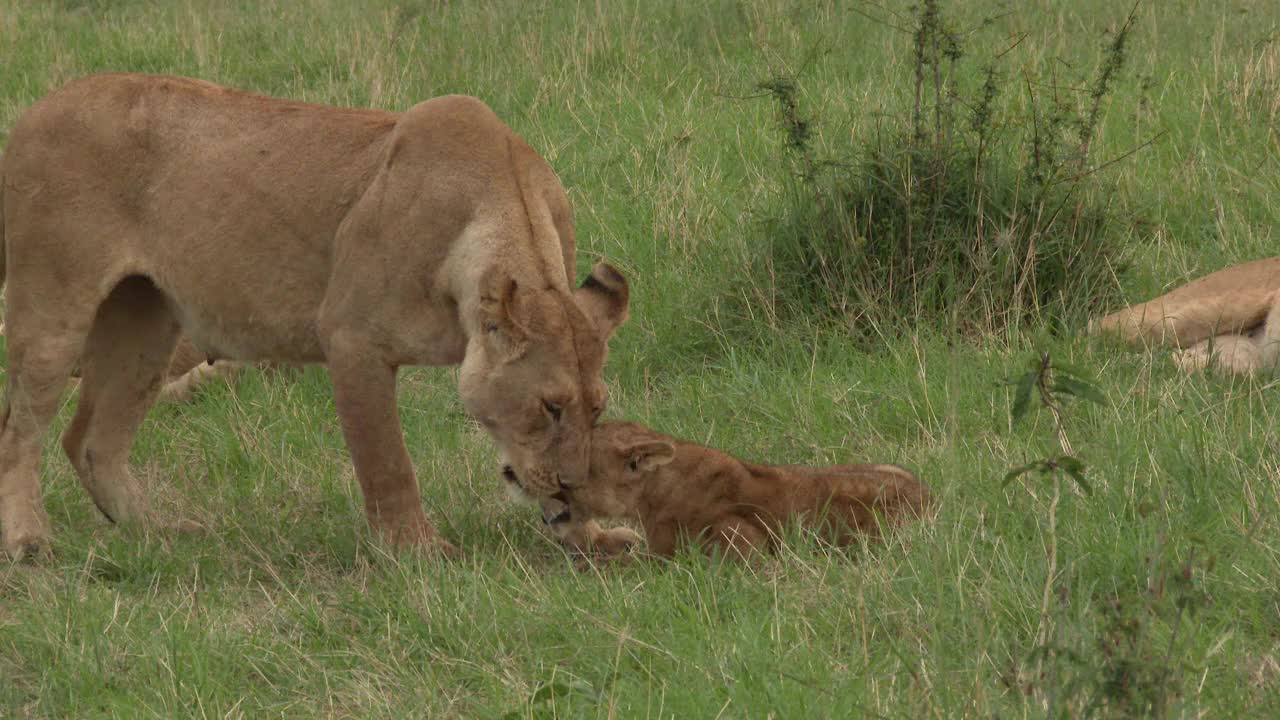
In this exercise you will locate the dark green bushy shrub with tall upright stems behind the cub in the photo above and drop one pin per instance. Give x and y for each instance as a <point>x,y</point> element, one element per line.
<point>972,217</point>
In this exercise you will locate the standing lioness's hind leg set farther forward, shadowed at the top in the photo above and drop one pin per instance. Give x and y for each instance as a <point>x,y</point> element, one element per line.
<point>124,368</point>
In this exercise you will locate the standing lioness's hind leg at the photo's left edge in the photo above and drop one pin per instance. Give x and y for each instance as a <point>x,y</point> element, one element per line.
<point>39,370</point>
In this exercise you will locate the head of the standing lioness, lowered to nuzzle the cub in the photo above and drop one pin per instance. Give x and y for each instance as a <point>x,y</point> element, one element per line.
<point>533,375</point>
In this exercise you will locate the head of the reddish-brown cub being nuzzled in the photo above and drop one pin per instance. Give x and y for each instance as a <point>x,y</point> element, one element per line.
<point>624,457</point>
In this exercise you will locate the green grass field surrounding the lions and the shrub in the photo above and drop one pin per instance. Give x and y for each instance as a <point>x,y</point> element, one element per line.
<point>1158,594</point>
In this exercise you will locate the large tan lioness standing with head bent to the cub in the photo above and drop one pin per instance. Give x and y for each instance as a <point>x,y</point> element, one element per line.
<point>135,207</point>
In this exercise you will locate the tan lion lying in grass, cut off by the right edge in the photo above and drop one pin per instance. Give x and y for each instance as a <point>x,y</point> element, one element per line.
<point>1229,320</point>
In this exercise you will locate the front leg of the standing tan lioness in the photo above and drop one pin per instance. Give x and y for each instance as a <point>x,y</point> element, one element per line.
<point>364,391</point>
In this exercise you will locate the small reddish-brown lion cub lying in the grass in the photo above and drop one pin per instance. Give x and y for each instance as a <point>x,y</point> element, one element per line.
<point>679,490</point>
